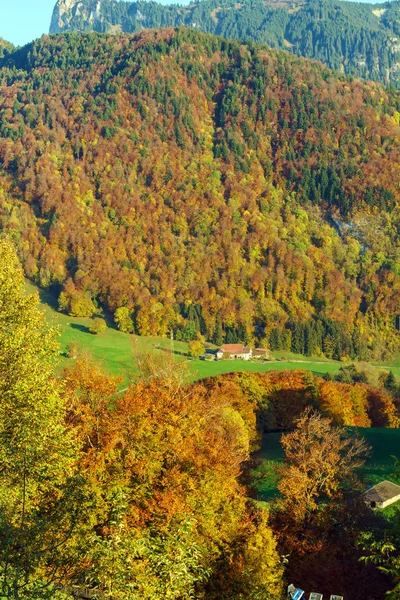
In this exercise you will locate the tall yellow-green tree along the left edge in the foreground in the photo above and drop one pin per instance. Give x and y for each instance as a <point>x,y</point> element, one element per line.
<point>36,451</point>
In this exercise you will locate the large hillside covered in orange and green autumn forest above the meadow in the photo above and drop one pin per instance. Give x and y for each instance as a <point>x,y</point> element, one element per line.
<point>205,185</point>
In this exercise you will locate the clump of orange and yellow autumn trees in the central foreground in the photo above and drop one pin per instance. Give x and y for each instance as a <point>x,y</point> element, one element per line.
<point>165,511</point>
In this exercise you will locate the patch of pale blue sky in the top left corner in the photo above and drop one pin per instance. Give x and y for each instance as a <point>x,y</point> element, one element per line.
<point>22,21</point>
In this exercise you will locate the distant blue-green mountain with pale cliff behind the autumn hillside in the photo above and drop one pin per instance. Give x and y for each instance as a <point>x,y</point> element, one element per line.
<point>358,39</point>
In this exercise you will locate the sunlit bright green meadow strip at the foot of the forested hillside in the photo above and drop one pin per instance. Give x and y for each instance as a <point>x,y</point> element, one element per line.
<point>116,351</point>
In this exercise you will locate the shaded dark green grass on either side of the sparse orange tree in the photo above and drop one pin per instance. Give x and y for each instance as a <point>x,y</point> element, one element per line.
<point>385,443</point>
